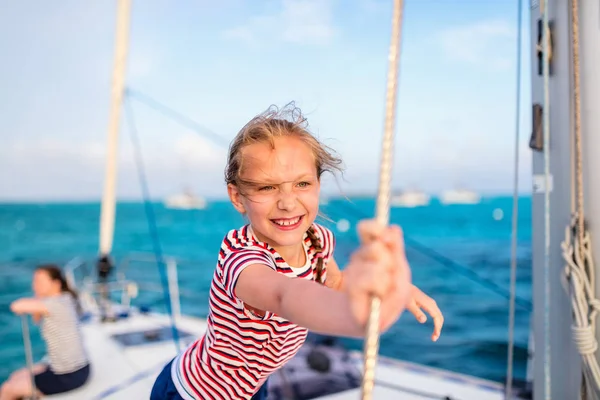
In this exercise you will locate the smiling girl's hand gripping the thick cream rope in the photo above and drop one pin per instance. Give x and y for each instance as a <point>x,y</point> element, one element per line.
<point>379,267</point>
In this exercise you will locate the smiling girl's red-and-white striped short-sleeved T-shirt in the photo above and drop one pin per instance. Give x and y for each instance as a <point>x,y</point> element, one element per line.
<point>241,349</point>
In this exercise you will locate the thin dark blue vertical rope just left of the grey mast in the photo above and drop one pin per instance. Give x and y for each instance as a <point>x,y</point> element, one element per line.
<point>515,215</point>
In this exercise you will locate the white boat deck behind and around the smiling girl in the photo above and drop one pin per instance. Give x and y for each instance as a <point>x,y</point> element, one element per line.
<point>128,372</point>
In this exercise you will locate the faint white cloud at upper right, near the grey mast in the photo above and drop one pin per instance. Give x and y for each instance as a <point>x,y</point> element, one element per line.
<point>485,43</point>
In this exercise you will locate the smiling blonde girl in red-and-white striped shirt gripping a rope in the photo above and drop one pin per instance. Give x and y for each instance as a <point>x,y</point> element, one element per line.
<point>276,277</point>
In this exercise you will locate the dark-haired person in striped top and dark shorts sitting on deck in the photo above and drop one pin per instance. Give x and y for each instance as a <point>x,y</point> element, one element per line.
<point>55,308</point>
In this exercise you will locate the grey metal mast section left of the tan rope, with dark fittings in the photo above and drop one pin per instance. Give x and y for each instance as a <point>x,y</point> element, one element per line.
<point>552,309</point>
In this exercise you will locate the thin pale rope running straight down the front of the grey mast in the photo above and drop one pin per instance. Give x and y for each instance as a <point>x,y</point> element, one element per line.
<point>546,141</point>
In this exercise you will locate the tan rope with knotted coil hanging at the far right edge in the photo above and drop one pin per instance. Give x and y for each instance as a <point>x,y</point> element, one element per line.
<point>579,272</point>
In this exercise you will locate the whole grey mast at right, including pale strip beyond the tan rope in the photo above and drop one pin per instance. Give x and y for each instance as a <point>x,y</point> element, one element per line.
<point>557,369</point>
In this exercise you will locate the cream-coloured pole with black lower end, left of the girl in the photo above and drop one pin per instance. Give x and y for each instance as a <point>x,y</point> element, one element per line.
<point>108,208</point>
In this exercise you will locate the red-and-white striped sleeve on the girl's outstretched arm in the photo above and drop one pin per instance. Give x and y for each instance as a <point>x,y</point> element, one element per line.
<point>236,261</point>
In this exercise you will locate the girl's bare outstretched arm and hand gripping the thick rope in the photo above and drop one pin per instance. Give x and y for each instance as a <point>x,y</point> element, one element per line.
<point>378,267</point>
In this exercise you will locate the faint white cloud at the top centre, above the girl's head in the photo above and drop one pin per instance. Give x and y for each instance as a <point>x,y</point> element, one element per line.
<point>308,22</point>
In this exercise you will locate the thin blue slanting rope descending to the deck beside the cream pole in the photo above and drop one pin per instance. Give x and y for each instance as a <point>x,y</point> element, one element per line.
<point>151,218</point>
